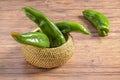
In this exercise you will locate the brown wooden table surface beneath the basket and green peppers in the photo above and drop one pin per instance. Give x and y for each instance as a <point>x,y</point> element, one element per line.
<point>95,58</point>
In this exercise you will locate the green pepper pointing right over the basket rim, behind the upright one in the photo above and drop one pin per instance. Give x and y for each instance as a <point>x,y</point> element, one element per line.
<point>70,26</point>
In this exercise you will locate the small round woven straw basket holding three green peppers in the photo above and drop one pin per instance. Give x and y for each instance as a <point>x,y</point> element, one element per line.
<point>48,57</point>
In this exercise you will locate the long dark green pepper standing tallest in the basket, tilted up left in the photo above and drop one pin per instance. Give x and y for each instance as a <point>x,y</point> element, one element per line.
<point>50,29</point>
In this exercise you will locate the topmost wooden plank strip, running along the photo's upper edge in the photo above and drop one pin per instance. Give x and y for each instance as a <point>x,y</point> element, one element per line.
<point>71,4</point>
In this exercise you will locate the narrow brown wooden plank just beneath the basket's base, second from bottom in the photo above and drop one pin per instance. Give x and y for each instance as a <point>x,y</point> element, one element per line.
<point>64,72</point>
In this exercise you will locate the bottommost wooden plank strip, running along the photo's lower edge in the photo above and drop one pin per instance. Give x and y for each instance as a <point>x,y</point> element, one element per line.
<point>39,76</point>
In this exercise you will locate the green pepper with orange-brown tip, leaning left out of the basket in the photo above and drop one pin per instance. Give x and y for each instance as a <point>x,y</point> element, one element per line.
<point>37,39</point>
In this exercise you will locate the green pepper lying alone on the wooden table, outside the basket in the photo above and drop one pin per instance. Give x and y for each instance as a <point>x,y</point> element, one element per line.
<point>98,20</point>
